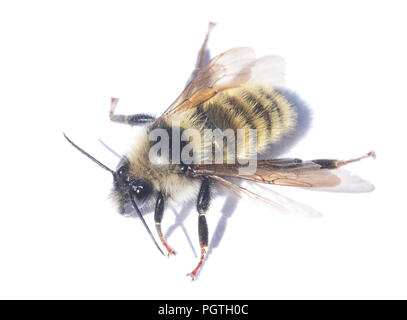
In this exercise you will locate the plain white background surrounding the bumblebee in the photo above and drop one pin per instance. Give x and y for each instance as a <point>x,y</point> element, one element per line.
<point>60,62</point>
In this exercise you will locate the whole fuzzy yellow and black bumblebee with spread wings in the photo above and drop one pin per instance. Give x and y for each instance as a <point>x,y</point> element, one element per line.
<point>233,91</point>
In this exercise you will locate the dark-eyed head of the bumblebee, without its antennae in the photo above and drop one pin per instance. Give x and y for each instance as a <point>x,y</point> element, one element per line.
<point>128,188</point>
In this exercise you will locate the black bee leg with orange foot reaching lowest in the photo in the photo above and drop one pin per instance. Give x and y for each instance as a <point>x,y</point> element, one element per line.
<point>202,207</point>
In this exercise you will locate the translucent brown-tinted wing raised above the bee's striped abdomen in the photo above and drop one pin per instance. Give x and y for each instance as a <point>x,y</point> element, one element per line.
<point>228,70</point>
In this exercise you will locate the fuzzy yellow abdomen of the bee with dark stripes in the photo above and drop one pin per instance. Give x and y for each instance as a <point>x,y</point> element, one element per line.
<point>249,107</point>
